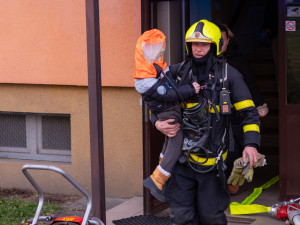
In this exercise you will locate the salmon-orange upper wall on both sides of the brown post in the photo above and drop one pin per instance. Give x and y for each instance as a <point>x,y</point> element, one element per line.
<point>44,42</point>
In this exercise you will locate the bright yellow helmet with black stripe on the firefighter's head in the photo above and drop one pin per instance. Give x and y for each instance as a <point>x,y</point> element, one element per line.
<point>204,31</point>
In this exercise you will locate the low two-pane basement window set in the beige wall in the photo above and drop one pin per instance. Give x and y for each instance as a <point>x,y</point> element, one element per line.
<point>44,137</point>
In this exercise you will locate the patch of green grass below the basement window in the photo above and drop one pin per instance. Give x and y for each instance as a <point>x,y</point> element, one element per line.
<point>14,210</point>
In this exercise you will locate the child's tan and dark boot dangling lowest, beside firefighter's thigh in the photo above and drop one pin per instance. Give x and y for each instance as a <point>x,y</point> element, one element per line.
<point>155,183</point>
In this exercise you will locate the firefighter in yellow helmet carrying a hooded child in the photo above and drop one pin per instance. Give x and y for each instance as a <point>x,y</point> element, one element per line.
<point>197,190</point>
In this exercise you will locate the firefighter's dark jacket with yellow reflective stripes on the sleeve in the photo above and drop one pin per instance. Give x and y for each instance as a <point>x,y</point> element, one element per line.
<point>240,96</point>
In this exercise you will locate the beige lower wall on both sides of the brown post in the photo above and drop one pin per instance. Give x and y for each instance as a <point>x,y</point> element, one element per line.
<point>122,137</point>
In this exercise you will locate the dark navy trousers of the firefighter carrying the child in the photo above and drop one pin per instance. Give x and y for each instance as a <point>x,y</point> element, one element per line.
<point>185,186</point>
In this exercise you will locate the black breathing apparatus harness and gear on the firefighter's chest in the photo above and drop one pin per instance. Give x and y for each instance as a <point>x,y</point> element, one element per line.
<point>197,125</point>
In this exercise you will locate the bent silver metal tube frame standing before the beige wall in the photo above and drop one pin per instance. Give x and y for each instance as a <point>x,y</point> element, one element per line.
<point>25,169</point>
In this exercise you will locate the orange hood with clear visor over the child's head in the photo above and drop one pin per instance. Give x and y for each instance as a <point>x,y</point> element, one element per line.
<point>149,49</point>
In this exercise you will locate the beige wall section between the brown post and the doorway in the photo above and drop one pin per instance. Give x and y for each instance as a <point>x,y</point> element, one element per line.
<point>122,116</point>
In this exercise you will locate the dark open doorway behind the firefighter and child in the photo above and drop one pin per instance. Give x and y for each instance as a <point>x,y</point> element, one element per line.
<point>246,20</point>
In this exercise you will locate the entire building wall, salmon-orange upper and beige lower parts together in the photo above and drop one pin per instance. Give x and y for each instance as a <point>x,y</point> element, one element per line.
<point>43,69</point>
